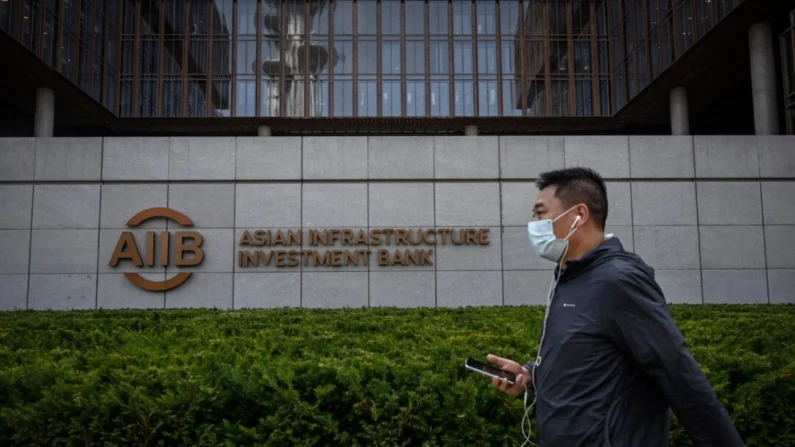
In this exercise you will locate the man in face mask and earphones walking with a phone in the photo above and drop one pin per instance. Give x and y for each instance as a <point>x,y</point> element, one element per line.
<point>611,361</point>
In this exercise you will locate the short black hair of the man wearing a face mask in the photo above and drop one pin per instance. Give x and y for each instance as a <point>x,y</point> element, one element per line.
<point>578,185</point>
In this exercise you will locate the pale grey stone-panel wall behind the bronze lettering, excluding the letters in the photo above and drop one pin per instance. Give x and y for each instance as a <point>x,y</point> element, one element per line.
<point>714,215</point>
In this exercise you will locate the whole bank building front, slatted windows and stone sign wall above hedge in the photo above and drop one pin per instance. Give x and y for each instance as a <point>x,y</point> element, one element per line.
<point>267,153</point>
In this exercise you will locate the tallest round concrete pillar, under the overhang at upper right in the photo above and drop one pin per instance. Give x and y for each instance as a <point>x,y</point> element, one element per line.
<point>763,78</point>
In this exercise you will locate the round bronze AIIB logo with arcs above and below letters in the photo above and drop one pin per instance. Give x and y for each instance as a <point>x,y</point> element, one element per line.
<point>157,249</point>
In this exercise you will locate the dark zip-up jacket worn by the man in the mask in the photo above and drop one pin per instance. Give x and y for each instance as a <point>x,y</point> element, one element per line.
<point>613,362</point>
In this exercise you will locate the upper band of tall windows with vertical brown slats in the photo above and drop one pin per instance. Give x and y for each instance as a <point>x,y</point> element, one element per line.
<point>301,58</point>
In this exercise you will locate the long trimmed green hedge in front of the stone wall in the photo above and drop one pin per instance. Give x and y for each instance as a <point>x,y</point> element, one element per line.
<point>375,377</point>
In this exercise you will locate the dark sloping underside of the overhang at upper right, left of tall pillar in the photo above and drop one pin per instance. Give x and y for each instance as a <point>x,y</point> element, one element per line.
<point>711,66</point>
